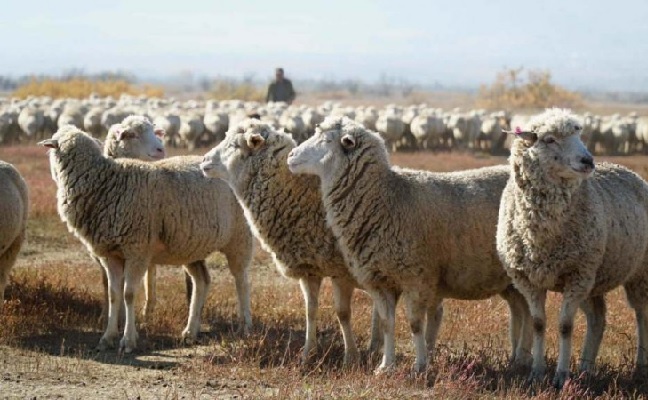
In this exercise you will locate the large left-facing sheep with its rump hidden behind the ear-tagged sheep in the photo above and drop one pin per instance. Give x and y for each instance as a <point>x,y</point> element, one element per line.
<point>411,231</point>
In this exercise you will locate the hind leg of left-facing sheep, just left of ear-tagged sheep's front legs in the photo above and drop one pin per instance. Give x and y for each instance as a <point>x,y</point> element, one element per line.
<point>520,329</point>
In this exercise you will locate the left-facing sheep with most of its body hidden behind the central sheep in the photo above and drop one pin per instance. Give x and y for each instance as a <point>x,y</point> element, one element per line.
<point>287,217</point>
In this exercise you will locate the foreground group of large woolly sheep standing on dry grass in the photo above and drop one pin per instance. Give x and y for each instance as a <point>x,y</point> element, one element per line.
<point>333,206</point>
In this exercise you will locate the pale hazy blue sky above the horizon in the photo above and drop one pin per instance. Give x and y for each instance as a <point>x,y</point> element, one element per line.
<point>598,44</point>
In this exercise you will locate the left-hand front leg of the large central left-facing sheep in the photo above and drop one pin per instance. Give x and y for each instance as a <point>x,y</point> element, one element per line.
<point>385,302</point>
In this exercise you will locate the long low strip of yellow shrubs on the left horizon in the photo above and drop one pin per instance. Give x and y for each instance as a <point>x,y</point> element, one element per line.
<point>82,87</point>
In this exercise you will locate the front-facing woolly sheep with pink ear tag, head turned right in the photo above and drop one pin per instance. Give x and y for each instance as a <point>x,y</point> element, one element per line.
<point>565,228</point>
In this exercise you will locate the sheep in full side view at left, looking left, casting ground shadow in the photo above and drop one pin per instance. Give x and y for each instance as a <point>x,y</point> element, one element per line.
<point>132,213</point>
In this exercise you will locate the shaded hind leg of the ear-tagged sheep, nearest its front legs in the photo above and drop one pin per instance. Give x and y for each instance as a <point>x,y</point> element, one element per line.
<point>594,309</point>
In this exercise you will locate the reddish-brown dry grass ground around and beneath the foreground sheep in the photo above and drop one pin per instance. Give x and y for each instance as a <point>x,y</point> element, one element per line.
<point>49,329</point>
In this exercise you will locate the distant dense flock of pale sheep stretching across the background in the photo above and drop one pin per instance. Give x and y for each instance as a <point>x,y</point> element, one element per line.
<point>192,123</point>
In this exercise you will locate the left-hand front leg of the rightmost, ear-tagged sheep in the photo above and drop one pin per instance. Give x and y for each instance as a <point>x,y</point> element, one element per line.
<point>536,300</point>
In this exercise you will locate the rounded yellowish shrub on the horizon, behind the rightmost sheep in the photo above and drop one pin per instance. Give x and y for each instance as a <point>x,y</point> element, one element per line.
<point>511,91</point>
